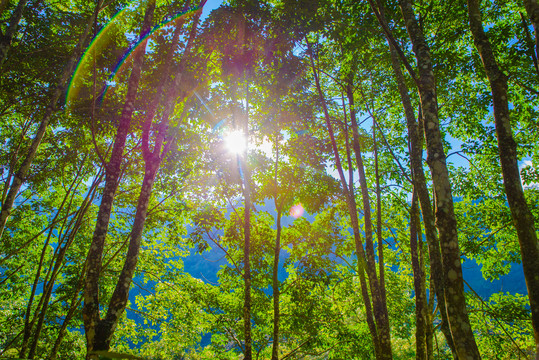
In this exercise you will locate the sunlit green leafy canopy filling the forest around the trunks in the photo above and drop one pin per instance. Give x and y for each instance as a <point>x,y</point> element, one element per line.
<point>250,62</point>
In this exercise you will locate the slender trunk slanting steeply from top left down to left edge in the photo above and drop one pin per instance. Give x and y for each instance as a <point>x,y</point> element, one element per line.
<point>20,175</point>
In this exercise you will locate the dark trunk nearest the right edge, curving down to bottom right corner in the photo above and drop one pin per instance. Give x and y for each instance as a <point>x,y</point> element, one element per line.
<point>507,147</point>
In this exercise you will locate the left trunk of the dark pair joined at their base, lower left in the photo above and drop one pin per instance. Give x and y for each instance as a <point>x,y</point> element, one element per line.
<point>113,170</point>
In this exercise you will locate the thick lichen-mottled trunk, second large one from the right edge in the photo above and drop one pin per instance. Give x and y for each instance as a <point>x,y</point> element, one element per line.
<point>459,323</point>
